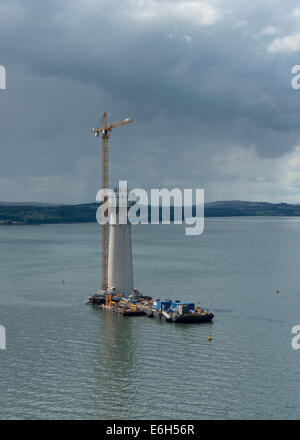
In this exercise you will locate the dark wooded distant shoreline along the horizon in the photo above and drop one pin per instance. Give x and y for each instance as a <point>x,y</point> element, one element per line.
<point>35,214</point>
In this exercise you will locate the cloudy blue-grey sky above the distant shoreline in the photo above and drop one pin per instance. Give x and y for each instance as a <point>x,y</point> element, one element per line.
<point>208,84</point>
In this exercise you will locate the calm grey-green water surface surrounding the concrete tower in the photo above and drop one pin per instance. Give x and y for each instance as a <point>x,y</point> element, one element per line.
<point>65,359</point>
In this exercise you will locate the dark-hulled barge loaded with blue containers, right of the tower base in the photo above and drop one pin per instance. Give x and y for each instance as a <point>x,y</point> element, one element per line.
<point>178,311</point>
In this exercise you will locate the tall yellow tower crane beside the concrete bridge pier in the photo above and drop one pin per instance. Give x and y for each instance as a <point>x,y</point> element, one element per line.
<point>105,131</point>
